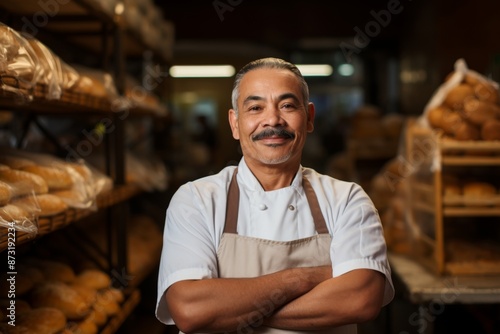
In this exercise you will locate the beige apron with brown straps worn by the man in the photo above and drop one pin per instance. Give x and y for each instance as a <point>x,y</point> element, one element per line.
<point>240,256</point>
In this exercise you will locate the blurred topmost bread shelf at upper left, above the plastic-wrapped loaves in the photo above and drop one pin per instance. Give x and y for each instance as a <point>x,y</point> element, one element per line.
<point>141,21</point>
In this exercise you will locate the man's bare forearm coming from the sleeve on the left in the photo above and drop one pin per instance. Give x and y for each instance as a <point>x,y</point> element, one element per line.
<point>229,304</point>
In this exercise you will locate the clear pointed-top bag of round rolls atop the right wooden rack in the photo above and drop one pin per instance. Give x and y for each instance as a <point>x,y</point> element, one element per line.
<point>463,105</point>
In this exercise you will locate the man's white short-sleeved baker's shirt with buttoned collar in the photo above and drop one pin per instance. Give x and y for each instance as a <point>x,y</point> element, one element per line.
<point>196,215</point>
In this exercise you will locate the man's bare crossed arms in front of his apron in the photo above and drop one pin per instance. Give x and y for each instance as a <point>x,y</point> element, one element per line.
<point>293,299</point>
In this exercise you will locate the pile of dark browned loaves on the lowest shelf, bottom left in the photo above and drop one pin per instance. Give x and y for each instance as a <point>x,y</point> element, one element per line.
<point>55,295</point>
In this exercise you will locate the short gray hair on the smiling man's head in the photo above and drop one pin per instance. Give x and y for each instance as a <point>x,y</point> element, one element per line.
<point>270,63</point>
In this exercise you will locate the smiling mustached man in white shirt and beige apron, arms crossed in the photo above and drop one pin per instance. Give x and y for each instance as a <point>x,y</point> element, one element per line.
<point>271,246</point>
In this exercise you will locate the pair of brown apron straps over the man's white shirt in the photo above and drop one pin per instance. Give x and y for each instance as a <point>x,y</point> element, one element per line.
<point>233,202</point>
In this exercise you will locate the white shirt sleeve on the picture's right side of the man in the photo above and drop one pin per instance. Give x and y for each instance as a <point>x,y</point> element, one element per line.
<point>358,238</point>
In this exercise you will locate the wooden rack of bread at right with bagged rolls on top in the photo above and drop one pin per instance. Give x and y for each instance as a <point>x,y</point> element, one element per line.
<point>453,152</point>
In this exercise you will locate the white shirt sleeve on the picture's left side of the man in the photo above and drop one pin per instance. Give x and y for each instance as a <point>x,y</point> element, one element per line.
<point>188,245</point>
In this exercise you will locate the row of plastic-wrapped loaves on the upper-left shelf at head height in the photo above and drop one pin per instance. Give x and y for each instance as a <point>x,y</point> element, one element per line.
<point>36,79</point>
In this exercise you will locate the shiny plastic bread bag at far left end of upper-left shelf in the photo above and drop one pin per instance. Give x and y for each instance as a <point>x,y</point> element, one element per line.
<point>19,68</point>
